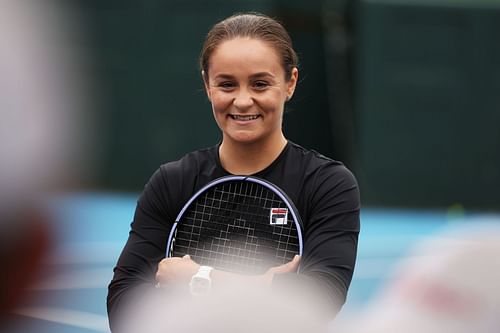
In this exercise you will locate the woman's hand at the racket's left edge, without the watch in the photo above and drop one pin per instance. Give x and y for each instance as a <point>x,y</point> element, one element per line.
<point>176,270</point>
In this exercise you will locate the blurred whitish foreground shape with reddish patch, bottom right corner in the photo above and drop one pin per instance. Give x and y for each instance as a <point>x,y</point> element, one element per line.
<point>450,284</point>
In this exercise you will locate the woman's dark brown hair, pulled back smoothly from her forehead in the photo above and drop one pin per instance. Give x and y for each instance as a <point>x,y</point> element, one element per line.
<point>251,25</point>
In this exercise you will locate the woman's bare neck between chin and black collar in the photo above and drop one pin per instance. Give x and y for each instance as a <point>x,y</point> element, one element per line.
<point>249,158</point>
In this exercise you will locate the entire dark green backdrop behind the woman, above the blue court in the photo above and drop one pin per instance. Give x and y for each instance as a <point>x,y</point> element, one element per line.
<point>404,92</point>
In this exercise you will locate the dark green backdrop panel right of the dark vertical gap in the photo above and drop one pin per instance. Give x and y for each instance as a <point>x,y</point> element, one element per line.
<point>428,102</point>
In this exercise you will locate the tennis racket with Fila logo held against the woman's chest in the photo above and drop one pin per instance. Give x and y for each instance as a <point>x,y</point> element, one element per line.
<point>238,224</point>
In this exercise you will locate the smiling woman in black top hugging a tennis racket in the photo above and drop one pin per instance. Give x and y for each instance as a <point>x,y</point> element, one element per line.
<point>249,69</point>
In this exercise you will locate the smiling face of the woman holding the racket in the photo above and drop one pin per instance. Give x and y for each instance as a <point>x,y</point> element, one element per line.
<point>247,88</point>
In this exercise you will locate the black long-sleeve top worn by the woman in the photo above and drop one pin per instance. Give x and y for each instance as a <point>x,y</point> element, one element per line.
<point>324,191</point>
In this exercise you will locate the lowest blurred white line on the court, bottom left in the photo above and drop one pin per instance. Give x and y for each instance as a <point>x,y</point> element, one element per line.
<point>81,319</point>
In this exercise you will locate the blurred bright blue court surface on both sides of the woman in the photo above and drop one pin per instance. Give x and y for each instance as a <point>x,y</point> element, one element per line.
<point>91,230</point>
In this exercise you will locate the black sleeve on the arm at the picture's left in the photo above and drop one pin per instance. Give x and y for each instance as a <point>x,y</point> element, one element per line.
<point>145,248</point>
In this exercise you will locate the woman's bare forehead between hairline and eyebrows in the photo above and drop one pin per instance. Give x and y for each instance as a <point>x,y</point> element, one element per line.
<point>245,54</point>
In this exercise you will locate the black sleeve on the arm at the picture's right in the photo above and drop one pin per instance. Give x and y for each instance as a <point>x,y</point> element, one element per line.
<point>330,239</point>
